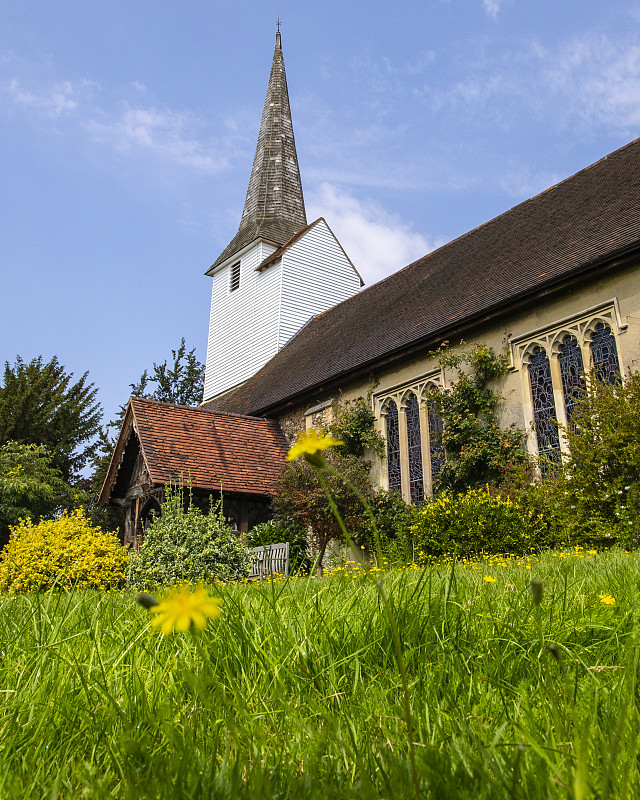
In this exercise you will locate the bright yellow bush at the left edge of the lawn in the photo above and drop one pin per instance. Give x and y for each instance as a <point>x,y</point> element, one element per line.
<point>66,551</point>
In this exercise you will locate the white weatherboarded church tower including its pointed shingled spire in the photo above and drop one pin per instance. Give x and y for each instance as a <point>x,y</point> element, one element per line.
<point>278,271</point>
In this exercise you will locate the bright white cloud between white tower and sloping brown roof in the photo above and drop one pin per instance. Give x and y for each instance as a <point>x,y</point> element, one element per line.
<point>377,242</point>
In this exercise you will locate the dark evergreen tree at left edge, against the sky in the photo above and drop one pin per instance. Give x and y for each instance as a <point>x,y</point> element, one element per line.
<point>39,404</point>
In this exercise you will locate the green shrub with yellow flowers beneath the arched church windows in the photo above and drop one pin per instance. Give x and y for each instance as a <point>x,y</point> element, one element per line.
<point>472,523</point>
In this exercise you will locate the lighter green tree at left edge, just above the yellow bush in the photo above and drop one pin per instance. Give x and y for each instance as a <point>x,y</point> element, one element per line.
<point>30,486</point>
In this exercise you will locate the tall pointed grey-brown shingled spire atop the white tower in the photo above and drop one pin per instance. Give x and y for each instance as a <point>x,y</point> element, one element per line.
<point>274,207</point>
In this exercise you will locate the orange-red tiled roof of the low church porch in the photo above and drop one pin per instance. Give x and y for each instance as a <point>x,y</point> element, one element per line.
<point>206,449</point>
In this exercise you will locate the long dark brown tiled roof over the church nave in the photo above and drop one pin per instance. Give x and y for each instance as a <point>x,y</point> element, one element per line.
<point>578,225</point>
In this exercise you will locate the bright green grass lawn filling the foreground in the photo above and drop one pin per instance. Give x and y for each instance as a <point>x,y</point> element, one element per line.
<point>295,691</point>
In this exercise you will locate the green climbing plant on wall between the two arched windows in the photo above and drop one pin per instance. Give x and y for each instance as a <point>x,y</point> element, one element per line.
<point>477,450</point>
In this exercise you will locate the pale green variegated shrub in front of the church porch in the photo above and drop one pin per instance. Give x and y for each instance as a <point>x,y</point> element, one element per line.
<point>188,546</point>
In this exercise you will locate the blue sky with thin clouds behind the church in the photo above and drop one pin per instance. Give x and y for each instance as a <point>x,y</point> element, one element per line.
<point>128,132</point>
